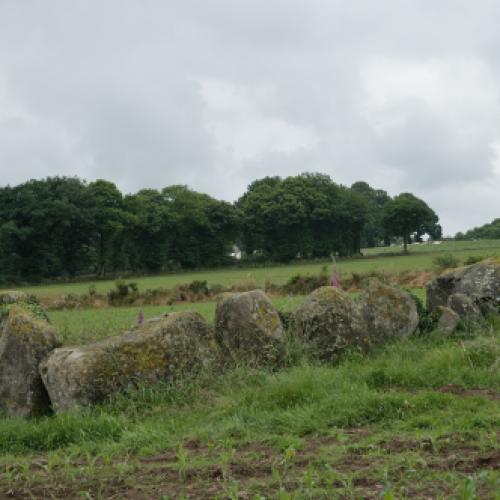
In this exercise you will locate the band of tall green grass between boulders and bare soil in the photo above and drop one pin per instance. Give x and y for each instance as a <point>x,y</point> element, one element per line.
<point>395,386</point>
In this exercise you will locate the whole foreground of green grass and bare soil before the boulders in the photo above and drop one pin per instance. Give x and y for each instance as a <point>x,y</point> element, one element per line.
<point>419,418</point>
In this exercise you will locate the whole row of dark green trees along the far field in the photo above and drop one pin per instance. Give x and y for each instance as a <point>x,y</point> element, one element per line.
<point>64,227</point>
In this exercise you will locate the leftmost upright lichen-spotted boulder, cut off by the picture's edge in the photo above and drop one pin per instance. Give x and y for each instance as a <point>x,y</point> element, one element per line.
<point>25,340</point>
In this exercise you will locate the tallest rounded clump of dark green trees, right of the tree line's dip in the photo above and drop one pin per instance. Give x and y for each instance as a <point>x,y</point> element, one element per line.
<point>307,215</point>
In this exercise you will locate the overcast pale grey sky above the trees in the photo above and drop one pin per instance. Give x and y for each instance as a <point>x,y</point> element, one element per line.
<point>403,94</point>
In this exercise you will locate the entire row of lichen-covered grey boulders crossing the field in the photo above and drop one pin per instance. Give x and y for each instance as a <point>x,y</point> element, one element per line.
<point>38,376</point>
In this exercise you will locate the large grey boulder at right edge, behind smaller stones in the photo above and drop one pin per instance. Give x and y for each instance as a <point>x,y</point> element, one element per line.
<point>480,282</point>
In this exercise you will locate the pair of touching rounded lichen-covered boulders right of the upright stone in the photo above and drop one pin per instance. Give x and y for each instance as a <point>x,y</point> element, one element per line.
<point>330,321</point>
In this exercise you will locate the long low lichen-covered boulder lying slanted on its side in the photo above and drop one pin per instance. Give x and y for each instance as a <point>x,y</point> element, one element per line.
<point>162,349</point>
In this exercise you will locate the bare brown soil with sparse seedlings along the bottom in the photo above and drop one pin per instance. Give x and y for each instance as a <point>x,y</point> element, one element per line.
<point>252,467</point>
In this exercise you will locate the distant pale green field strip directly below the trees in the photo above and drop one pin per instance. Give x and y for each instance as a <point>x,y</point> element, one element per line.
<point>420,258</point>
